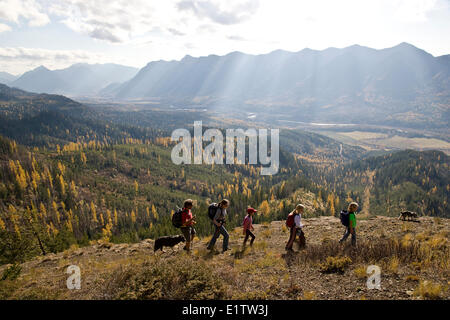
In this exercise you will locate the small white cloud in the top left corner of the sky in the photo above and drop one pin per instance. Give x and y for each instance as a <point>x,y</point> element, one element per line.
<point>29,10</point>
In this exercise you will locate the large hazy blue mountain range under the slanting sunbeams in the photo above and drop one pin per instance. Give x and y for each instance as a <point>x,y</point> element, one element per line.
<point>402,85</point>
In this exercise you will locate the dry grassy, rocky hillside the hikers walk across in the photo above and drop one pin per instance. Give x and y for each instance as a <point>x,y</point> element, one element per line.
<point>413,258</point>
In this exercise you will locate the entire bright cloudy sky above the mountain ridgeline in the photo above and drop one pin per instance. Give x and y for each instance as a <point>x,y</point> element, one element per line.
<point>59,33</point>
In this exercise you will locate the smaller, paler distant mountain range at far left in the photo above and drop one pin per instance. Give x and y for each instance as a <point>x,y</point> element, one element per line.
<point>80,79</point>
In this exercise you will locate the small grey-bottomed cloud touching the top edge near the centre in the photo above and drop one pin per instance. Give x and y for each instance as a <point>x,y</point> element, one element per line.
<point>231,13</point>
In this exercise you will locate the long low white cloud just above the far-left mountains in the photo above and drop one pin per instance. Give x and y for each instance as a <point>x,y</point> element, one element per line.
<point>19,59</point>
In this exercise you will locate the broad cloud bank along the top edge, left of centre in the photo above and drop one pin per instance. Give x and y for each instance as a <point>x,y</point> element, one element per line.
<point>122,21</point>
